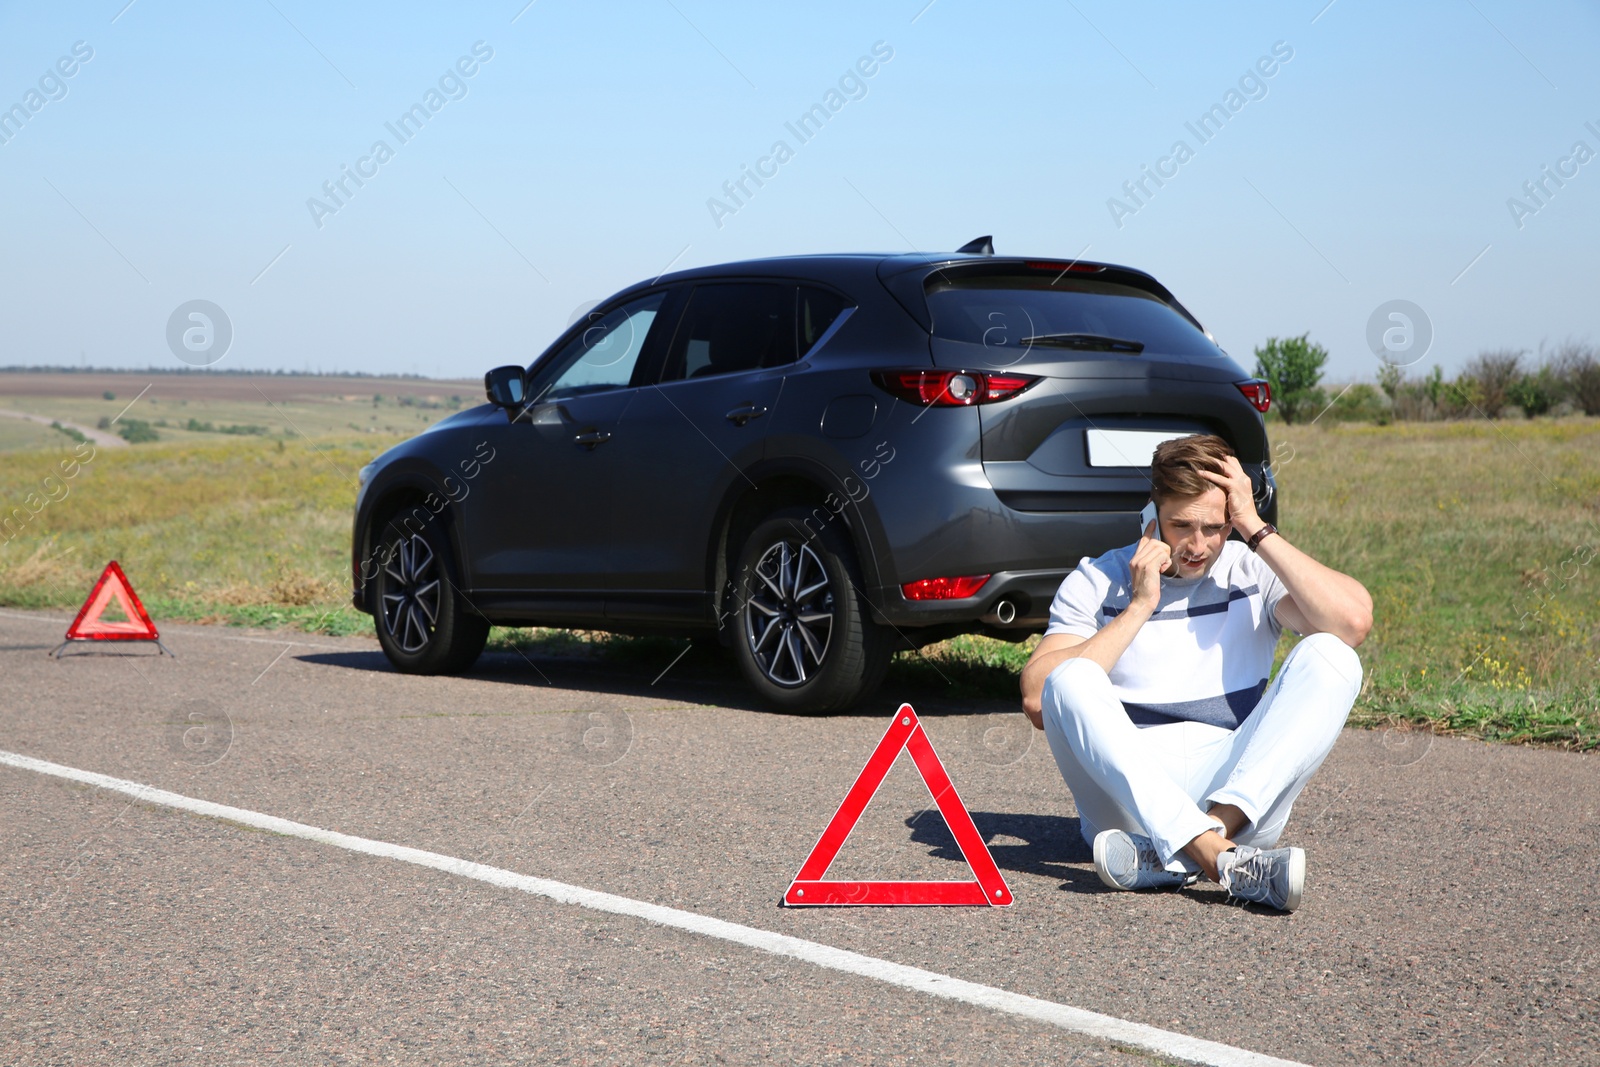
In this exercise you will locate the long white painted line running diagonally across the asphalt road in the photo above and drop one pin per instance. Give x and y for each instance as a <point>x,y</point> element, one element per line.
<point>1094,1025</point>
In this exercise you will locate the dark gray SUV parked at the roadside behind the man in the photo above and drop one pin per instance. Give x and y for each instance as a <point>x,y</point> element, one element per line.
<point>814,460</point>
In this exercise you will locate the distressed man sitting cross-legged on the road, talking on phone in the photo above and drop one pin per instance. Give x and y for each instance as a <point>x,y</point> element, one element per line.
<point>1151,685</point>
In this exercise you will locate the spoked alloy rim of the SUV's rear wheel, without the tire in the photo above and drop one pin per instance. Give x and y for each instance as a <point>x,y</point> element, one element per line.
<point>790,617</point>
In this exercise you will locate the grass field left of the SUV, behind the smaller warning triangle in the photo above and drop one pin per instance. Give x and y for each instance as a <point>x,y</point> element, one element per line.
<point>250,532</point>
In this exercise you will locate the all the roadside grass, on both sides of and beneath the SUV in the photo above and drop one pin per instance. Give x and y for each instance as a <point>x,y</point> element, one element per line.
<point>1481,545</point>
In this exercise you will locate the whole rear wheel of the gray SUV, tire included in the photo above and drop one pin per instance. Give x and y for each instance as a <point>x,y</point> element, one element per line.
<point>804,631</point>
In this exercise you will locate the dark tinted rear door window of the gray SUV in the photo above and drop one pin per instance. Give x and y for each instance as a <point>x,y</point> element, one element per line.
<point>734,327</point>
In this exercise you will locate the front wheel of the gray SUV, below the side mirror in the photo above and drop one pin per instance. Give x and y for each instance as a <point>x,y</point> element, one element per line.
<point>423,621</point>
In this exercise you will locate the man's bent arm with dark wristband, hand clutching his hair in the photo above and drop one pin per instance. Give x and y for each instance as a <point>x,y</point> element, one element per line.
<point>1321,599</point>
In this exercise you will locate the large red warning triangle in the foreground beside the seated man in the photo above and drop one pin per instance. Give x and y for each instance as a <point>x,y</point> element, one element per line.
<point>988,887</point>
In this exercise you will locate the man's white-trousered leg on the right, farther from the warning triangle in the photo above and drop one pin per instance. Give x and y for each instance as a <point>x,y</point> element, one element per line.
<point>1287,738</point>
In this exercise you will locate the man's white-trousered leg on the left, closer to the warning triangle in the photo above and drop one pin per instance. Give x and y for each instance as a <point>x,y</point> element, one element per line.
<point>1113,770</point>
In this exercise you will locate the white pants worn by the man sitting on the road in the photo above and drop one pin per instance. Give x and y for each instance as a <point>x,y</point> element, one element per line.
<point>1159,781</point>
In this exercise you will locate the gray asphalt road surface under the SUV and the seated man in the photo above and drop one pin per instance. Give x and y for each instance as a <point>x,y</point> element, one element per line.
<point>1450,911</point>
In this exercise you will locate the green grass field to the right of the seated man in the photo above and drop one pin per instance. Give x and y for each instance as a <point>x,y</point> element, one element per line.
<point>1479,543</point>
